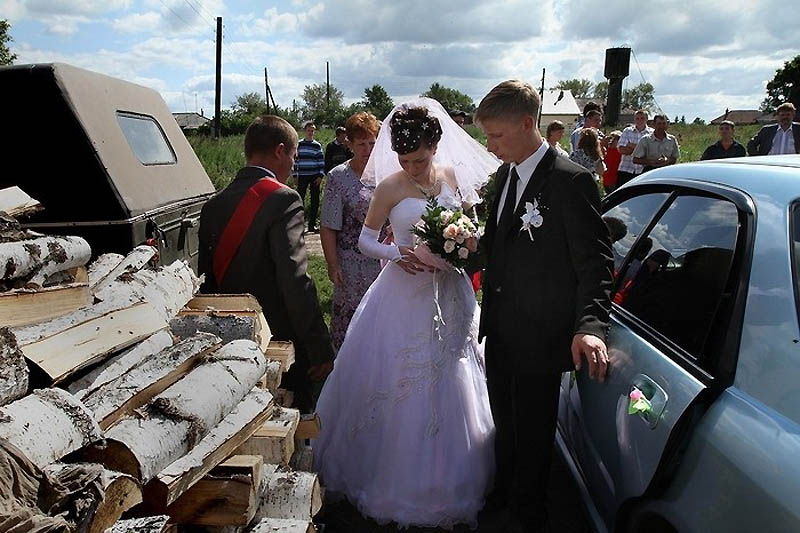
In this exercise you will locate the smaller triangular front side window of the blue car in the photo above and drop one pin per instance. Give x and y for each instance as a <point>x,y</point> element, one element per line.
<point>627,220</point>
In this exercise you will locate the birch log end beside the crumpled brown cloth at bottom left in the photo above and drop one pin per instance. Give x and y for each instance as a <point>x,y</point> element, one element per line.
<point>120,492</point>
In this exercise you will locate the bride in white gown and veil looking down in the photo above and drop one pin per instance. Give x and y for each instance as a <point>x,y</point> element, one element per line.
<point>407,433</point>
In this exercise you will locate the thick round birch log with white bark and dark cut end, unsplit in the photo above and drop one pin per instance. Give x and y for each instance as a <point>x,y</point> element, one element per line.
<point>147,441</point>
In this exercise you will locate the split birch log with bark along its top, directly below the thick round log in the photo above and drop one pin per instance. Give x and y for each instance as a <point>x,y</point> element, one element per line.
<point>220,443</point>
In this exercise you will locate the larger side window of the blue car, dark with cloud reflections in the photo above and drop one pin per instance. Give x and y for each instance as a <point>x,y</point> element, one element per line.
<point>678,284</point>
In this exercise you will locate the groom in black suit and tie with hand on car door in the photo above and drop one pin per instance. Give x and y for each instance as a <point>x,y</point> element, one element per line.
<point>546,296</point>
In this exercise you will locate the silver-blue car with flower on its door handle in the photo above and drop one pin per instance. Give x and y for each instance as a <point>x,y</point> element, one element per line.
<point>697,426</point>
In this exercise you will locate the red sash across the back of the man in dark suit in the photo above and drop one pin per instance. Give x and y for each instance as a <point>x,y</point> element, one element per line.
<point>239,224</point>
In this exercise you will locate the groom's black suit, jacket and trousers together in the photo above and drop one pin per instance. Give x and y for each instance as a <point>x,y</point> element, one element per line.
<point>537,295</point>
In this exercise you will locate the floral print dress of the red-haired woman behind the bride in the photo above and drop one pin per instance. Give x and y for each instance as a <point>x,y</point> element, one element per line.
<point>344,210</point>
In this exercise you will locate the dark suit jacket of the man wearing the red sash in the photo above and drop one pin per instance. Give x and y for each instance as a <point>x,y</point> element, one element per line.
<point>270,264</point>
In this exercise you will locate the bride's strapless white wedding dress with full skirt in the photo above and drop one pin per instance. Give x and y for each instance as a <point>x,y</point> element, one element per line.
<point>407,432</point>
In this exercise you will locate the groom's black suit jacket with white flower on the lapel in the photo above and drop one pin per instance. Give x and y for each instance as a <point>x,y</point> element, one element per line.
<point>539,293</point>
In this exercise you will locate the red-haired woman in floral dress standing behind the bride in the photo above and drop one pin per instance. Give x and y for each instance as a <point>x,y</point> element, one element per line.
<point>343,211</point>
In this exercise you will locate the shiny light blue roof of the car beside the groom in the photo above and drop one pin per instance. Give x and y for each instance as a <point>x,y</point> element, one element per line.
<point>776,176</point>
